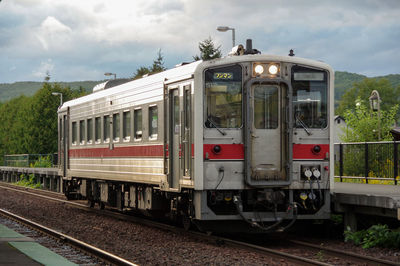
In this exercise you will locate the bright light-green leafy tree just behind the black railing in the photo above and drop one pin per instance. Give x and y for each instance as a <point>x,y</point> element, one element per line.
<point>365,125</point>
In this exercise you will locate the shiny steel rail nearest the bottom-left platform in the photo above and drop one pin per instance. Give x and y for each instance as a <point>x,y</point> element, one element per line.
<point>104,255</point>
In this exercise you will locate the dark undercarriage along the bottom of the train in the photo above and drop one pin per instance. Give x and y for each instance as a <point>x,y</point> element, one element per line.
<point>251,210</point>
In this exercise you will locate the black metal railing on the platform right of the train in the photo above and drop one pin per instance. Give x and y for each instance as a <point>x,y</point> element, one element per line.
<point>369,162</point>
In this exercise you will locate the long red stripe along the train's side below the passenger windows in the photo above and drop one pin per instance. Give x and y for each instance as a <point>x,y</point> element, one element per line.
<point>128,151</point>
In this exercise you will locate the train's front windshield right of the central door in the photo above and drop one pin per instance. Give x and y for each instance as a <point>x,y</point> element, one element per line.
<point>310,94</point>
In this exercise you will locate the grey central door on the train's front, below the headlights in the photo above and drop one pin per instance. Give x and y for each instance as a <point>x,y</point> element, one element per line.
<point>267,142</point>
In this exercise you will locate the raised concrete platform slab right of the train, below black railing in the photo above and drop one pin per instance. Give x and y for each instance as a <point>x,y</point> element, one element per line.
<point>352,199</point>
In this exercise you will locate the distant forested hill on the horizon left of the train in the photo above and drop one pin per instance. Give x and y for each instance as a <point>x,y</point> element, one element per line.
<point>9,91</point>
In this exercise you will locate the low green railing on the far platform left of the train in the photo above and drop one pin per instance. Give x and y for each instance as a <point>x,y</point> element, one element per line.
<point>30,160</point>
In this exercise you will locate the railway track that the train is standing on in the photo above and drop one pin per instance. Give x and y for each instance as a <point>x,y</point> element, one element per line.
<point>320,255</point>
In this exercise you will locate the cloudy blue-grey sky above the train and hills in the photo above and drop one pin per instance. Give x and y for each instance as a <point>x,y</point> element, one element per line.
<point>82,39</point>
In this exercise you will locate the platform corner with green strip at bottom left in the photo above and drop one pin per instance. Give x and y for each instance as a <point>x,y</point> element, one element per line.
<point>16,249</point>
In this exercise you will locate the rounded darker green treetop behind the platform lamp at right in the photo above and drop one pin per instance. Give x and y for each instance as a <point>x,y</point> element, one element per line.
<point>389,95</point>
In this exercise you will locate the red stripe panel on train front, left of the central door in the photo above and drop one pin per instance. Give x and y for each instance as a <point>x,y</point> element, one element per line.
<point>227,152</point>
